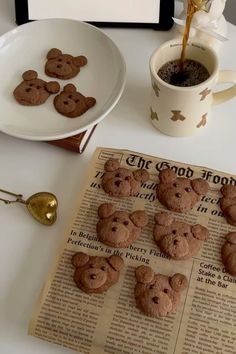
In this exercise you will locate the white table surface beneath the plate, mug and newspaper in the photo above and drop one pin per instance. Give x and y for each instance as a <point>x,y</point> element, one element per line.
<point>26,247</point>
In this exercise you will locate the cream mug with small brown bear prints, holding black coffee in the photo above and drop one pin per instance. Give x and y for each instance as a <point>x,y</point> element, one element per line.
<point>184,111</point>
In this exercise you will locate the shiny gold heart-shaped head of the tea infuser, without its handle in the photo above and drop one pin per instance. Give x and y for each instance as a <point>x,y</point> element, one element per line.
<point>43,207</point>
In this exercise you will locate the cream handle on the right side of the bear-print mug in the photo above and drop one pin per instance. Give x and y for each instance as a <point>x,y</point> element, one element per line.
<point>225,76</point>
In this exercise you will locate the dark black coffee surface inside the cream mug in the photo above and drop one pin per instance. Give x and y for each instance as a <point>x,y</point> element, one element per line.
<point>192,73</point>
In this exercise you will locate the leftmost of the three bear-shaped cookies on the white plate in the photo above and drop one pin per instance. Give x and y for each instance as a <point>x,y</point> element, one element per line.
<point>33,91</point>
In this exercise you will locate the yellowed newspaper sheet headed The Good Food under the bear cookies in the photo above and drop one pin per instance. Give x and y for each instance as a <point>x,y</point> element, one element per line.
<point>205,322</point>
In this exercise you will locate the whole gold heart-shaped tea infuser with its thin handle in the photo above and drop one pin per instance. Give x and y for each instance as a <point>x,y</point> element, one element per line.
<point>42,206</point>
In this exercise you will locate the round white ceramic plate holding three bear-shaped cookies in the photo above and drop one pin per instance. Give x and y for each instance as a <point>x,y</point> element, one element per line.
<point>26,48</point>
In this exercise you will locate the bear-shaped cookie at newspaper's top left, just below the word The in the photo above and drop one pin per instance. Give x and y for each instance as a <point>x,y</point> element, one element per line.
<point>122,182</point>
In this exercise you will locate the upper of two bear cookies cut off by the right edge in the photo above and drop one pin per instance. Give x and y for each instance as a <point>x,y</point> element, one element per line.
<point>228,203</point>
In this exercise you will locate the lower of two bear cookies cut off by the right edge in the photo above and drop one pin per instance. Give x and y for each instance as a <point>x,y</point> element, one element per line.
<point>228,253</point>
